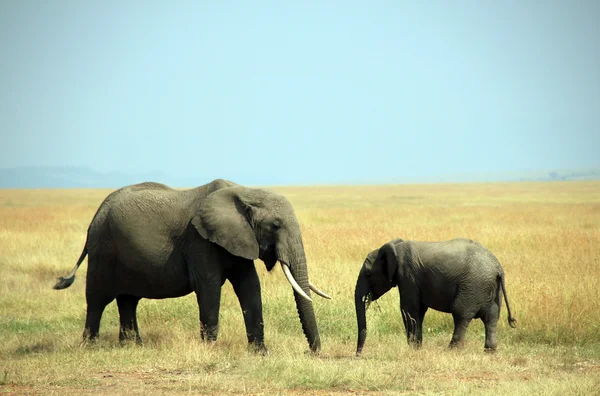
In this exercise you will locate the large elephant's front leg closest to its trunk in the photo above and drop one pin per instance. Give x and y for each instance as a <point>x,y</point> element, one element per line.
<point>246,285</point>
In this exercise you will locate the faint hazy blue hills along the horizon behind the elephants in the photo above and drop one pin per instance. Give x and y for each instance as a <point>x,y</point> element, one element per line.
<point>80,177</point>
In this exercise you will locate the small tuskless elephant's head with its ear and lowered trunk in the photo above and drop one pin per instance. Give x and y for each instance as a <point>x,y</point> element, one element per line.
<point>376,277</point>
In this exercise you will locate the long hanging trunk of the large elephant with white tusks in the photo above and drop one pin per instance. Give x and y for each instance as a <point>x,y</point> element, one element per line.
<point>297,264</point>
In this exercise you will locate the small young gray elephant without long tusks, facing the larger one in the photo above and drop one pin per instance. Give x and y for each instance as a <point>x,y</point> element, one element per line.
<point>459,276</point>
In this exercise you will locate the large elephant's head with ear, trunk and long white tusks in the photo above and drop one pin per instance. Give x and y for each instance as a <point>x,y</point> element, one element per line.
<point>255,223</point>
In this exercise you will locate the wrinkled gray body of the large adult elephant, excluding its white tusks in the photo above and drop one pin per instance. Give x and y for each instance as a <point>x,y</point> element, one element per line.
<point>151,241</point>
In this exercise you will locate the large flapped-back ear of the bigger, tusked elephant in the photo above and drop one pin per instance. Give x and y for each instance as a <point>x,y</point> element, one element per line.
<point>222,218</point>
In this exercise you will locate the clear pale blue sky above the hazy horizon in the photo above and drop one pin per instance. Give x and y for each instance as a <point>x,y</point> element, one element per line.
<point>300,92</point>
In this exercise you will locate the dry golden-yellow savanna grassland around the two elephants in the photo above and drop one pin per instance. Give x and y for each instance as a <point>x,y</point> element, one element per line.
<point>546,235</point>
